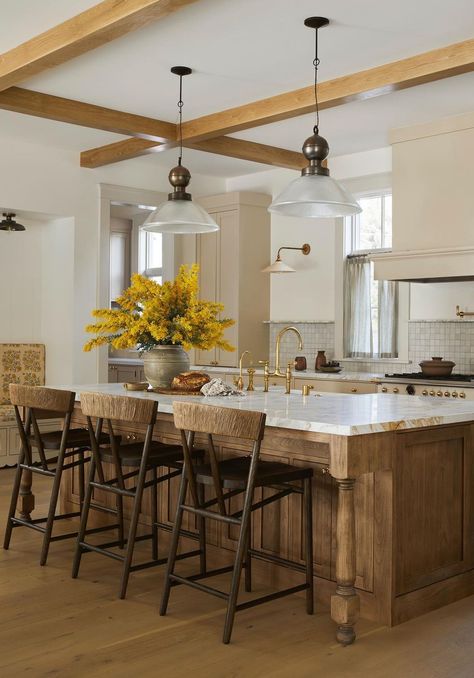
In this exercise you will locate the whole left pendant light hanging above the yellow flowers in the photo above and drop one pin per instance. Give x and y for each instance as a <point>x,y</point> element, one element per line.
<point>179,214</point>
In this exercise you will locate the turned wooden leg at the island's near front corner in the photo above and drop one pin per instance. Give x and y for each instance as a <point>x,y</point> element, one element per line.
<point>345,603</point>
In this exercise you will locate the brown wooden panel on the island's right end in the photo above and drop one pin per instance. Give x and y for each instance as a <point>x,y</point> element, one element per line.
<point>433,508</point>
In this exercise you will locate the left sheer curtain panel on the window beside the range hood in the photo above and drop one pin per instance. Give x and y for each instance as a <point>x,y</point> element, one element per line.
<point>358,337</point>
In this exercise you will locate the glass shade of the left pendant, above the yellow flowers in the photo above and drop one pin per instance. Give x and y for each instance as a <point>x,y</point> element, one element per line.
<point>180,216</point>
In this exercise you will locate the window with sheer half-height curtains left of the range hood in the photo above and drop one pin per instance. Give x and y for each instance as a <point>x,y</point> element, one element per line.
<point>370,306</point>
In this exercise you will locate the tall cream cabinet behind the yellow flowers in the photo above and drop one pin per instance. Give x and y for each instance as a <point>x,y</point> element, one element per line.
<point>231,261</point>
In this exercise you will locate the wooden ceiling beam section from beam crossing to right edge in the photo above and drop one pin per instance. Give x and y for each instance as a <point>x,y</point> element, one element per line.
<point>423,68</point>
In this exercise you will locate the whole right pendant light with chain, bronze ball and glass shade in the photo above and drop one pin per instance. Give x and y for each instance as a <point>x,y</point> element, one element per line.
<point>315,193</point>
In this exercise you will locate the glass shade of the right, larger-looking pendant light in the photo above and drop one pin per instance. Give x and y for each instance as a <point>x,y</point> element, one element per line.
<point>315,195</point>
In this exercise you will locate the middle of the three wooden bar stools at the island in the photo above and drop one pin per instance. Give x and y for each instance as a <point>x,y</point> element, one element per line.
<point>141,457</point>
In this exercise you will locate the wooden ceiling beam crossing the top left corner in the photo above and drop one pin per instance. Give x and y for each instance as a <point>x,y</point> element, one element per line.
<point>92,28</point>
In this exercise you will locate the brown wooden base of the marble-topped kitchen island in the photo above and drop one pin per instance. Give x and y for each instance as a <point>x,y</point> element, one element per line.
<point>393,517</point>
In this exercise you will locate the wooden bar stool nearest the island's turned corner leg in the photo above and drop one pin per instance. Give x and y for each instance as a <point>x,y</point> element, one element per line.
<point>228,478</point>
